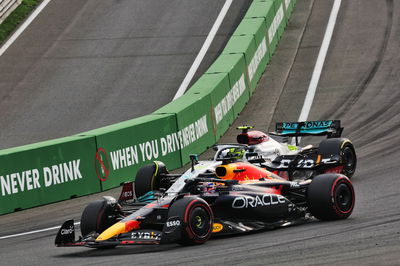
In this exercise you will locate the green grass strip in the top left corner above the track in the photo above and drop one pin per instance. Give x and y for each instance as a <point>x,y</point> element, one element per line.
<point>16,17</point>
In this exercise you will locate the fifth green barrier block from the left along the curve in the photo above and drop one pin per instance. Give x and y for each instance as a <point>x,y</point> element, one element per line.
<point>235,66</point>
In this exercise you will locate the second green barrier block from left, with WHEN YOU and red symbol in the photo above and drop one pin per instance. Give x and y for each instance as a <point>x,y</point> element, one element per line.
<point>124,147</point>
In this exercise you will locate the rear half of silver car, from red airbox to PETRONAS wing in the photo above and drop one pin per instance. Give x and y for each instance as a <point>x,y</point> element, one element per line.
<point>292,162</point>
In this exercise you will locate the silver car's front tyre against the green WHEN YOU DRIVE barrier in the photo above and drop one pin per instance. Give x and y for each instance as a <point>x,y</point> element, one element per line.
<point>148,178</point>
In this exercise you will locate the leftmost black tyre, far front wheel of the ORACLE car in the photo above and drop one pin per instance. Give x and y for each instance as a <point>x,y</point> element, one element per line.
<point>97,217</point>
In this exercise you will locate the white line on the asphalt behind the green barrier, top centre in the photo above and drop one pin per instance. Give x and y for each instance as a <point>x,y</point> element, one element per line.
<point>203,50</point>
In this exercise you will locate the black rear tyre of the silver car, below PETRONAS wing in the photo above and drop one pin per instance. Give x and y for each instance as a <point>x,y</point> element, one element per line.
<point>344,150</point>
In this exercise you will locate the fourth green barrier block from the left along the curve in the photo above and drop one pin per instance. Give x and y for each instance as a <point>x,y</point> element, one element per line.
<point>218,87</point>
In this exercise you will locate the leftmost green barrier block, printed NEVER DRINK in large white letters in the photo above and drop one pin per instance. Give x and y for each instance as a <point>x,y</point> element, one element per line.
<point>47,172</point>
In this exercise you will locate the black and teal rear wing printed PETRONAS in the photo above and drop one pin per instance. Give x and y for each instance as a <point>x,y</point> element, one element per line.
<point>330,128</point>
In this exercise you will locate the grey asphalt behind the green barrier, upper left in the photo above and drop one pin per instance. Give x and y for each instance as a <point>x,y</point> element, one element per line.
<point>84,64</point>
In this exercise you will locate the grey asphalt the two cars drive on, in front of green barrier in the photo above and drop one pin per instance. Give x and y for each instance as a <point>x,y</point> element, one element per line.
<point>359,85</point>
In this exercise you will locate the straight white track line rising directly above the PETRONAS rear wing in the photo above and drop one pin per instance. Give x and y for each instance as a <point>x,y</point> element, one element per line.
<point>305,111</point>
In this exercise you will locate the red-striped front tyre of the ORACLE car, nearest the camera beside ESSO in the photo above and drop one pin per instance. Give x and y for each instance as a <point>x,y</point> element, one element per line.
<point>197,220</point>
